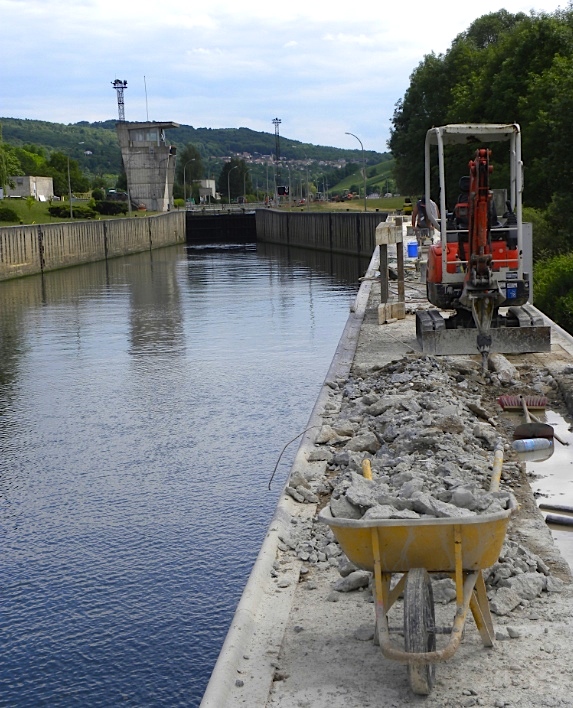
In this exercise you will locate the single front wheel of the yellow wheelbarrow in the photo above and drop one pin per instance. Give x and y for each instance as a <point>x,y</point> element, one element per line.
<point>419,628</point>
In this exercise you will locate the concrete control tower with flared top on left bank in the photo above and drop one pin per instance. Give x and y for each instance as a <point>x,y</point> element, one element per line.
<point>149,163</point>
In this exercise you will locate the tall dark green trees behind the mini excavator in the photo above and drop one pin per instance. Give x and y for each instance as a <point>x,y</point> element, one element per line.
<point>505,68</point>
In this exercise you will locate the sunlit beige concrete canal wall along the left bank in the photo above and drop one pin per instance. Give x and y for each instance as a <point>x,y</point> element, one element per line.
<point>31,249</point>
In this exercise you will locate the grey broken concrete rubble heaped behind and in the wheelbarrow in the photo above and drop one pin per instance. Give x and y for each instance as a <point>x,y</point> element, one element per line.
<point>429,428</point>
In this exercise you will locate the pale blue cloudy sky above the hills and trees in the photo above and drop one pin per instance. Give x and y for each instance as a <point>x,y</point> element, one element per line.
<point>322,68</point>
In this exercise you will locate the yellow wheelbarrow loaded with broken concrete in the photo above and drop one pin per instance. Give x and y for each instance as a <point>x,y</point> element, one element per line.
<point>462,547</point>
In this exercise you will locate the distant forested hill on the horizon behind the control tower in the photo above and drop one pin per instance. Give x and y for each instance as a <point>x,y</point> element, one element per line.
<point>100,140</point>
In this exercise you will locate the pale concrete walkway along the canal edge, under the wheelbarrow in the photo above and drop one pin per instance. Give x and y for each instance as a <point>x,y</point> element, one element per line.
<point>291,645</point>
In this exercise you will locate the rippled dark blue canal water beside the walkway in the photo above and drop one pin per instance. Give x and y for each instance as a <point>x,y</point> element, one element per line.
<point>143,405</point>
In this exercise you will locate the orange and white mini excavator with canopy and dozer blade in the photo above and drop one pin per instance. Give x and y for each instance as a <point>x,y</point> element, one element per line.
<point>478,270</point>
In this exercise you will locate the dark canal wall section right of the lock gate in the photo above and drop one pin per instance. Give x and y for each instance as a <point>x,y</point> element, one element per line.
<point>352,233</point>
